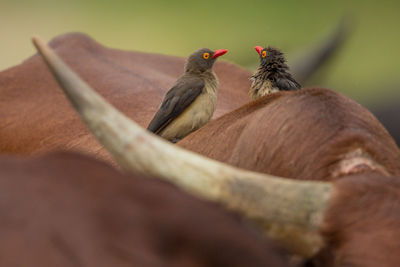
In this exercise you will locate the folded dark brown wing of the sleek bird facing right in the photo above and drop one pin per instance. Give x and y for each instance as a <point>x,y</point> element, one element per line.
<point>178,98</point>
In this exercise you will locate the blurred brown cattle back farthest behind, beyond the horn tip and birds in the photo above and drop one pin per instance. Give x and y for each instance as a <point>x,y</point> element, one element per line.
<point>35,117</point>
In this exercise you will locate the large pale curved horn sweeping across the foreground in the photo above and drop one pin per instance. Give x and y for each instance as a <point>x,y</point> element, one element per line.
<point>288,211</point>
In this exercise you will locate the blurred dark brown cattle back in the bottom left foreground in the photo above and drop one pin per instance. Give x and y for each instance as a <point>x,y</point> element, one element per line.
<point>69,210</point>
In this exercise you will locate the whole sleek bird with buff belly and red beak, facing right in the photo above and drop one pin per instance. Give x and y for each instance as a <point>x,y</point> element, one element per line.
<point>191,101</point>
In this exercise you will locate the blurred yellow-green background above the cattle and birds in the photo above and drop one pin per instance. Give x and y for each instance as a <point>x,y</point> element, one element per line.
<point>366,68</point>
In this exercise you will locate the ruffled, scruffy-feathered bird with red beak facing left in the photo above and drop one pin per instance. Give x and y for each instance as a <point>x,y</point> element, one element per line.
<point>272,75</point>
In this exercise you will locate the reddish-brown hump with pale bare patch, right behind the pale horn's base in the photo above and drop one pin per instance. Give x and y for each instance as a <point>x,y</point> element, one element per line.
<point>312,134</point>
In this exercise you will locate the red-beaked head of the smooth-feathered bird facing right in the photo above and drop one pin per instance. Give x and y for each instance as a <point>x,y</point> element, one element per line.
<point>203,59</point>
